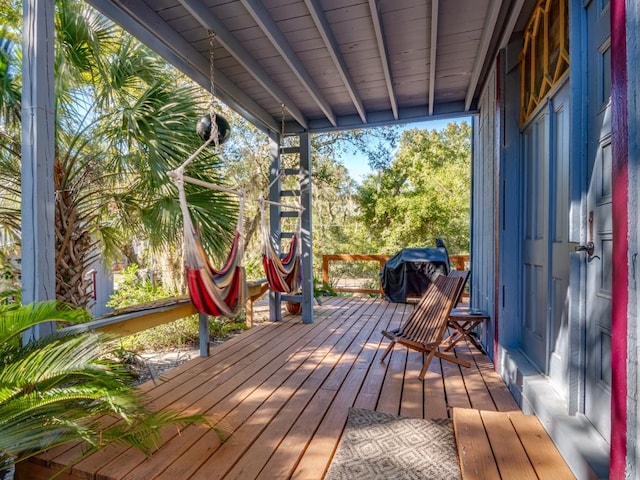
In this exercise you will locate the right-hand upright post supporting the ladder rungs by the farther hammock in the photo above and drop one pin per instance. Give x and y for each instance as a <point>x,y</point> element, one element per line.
<point>307,251</point>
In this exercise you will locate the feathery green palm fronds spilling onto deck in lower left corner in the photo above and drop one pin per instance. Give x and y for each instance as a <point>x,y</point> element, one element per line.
<point>53,390</point>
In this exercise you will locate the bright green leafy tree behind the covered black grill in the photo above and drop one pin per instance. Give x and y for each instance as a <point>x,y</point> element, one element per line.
<point>424,193</point>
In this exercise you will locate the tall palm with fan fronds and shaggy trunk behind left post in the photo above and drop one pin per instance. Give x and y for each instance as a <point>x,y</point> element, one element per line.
<point>123,119</point>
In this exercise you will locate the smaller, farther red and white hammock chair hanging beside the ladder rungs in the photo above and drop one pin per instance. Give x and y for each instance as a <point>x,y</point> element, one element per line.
<point>283,273</point>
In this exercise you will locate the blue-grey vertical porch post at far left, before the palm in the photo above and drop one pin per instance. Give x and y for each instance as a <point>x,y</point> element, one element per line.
<point>38,207</point>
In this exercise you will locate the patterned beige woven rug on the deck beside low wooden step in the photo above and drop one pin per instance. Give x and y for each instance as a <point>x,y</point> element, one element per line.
<point>379,446</point>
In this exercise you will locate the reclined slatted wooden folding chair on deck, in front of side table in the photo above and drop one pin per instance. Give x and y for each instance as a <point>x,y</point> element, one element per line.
<point>426,327</point>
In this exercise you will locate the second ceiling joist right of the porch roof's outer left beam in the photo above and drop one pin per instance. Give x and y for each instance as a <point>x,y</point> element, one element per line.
<point>262,17</point>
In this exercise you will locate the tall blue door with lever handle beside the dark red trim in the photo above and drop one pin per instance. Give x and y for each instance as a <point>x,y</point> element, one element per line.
<point>599,225</point>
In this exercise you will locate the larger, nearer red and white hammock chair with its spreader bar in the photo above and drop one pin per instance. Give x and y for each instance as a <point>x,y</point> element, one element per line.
<point>218,292</point>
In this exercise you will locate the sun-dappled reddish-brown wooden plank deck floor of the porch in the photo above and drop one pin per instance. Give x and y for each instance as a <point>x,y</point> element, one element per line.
<point>279,395</point>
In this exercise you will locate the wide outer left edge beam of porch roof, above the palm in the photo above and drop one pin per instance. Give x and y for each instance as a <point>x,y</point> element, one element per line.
<point>144,24</point>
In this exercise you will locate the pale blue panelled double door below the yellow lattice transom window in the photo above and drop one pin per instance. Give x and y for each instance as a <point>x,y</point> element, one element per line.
<point>546,142</point>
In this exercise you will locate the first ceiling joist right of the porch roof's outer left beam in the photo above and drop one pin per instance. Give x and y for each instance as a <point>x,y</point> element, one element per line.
<point>209,21</point>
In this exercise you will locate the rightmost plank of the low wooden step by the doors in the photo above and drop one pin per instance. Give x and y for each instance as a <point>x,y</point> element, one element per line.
<point>542,452</point>
